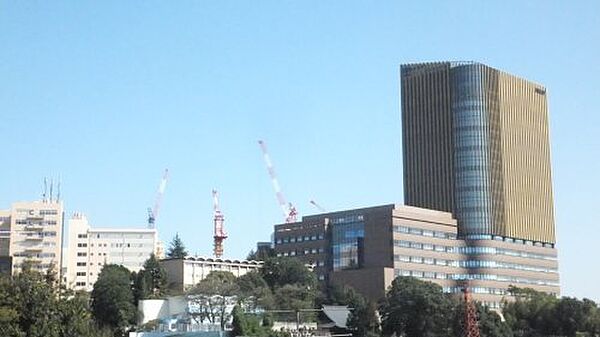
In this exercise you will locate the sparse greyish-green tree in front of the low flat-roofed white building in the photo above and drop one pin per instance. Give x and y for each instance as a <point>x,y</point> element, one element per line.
<point>212,296</point>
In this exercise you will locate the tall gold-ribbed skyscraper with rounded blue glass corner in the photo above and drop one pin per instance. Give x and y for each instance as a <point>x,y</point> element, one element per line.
<point>476,143</point>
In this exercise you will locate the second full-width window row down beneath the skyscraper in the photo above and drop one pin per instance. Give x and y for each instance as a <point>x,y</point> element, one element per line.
<point>472,263</point>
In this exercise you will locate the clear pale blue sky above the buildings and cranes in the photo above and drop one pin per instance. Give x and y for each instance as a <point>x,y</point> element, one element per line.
<point>107,94</point>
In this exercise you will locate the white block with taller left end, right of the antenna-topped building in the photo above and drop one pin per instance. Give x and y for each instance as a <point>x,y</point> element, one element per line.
<point>91,248</point>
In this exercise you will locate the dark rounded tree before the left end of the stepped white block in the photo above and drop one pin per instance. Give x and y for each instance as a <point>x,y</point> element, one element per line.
<point>112,299</point>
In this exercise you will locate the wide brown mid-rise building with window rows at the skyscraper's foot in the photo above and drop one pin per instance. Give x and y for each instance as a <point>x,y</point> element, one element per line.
<point>367,248</point>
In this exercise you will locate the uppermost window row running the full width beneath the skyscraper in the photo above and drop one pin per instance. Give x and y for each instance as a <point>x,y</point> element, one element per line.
<point>472,250</point>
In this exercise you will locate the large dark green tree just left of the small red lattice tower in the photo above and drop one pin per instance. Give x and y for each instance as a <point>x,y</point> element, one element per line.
<point>415,308</point>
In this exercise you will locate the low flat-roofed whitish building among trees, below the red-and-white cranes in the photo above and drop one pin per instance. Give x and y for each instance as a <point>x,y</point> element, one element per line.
<point>182,274</point>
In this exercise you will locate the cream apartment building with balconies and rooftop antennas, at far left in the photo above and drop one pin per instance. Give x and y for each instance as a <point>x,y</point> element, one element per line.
<point>31,231</point>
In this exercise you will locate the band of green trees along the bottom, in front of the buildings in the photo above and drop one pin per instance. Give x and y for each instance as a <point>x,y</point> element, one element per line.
<point>33,304</point>
